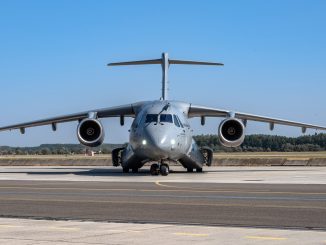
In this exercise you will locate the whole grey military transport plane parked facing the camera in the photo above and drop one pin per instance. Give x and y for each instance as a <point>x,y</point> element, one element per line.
<point>160,131</point>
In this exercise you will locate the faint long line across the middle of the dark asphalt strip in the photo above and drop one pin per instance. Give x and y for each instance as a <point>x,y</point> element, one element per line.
<point>164,203</point>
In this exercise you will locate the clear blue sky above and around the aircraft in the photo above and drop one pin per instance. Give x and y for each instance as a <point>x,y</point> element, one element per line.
<point>53,57</point>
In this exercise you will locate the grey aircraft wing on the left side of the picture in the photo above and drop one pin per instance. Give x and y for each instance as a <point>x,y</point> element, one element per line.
<point>128,110</point>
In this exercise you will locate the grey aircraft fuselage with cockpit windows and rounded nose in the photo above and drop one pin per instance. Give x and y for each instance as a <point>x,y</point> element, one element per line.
<point>159,132</point>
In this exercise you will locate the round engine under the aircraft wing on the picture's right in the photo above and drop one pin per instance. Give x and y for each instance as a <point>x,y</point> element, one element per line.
<point>231,132</point>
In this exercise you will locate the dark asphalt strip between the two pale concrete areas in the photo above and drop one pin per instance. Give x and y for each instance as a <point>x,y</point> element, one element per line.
<point>250,205</point>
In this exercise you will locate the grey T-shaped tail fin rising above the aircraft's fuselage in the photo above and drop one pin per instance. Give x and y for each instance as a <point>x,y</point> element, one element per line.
<point>165,62</point>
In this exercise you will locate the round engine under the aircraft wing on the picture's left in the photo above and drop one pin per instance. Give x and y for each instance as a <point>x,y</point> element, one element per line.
<point>90,132</point>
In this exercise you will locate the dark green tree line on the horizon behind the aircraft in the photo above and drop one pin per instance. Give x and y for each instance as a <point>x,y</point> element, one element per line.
<point>252,143</point>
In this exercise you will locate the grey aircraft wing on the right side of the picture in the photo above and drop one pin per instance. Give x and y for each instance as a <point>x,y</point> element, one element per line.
<point>202,111</point>
